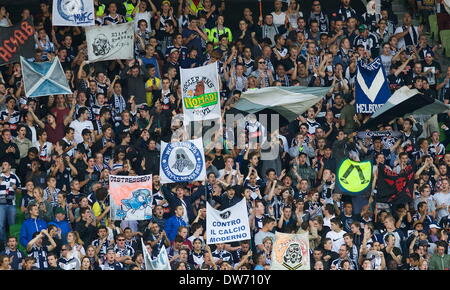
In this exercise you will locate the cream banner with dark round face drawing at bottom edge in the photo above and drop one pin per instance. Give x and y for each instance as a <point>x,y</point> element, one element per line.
<point>290,252</point>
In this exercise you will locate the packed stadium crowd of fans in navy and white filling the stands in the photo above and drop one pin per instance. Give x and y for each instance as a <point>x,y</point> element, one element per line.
<point>58,151</point>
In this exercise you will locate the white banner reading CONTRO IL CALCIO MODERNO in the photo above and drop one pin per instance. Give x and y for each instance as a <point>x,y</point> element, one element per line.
<point>229,225</point>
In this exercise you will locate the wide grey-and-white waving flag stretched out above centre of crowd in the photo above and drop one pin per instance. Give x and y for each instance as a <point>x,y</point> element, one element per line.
<point>287,101</point>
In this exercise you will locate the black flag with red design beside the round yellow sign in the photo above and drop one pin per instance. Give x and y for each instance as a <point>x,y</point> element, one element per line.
<point>395,188</point>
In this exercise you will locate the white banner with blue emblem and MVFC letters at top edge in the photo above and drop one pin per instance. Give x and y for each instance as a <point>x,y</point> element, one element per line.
<point>73,13</point>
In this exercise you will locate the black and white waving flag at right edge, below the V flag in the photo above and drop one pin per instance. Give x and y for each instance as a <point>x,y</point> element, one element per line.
<point>405,101</point>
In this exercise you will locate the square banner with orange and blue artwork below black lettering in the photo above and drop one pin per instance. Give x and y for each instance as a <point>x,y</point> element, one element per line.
<point>131,197</point>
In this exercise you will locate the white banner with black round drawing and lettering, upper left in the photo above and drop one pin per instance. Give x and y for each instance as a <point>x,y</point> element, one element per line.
<point>110,42</point>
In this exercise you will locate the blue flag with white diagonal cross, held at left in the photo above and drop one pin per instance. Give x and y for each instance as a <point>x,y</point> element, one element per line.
<point>44,78</point>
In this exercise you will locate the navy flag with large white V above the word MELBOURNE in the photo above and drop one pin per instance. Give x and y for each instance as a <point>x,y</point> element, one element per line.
<point>372,90</point>
